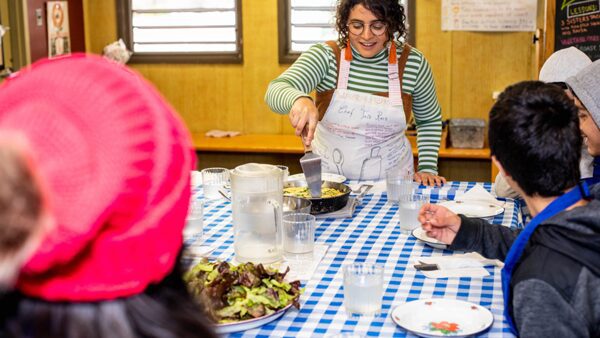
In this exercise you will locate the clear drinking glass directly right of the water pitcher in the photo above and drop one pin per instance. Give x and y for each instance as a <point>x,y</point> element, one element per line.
<point>298,233</point>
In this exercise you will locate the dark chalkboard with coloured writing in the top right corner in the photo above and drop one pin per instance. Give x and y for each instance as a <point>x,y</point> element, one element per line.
<point>577,24</point>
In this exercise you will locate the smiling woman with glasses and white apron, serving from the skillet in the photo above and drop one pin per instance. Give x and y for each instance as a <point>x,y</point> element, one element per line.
<point>367,85</point>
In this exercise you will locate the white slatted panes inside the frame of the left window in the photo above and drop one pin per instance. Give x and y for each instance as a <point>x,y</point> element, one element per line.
<point>161,26</point>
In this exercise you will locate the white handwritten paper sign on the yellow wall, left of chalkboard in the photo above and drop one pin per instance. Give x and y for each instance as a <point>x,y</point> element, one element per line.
<point>489,15</point>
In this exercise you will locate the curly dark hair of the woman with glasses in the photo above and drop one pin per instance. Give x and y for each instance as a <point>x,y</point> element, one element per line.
<point>388,11</point>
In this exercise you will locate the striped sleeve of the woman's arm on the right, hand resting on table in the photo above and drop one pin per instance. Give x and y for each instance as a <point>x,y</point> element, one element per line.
<point>428,117</point>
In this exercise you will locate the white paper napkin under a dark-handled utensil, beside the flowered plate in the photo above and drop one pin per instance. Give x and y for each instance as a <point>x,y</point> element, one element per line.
<point>462,265</point>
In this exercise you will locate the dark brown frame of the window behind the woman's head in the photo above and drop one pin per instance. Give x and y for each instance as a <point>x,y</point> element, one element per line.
<point>285,33</point>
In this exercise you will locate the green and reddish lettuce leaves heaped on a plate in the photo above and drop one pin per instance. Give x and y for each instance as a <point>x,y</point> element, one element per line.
<point>234,293</point>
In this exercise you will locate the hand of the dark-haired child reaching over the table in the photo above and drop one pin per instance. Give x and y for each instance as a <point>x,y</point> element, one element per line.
<point>439,222</point>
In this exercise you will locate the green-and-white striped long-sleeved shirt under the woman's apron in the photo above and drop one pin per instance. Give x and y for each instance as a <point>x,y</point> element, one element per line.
<point>316,69</point>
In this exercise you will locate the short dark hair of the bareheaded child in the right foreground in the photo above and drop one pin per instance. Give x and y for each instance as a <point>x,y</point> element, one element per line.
<point>534,133</point>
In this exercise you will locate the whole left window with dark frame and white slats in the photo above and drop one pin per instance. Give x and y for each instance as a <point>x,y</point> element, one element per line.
<point>186,31</point>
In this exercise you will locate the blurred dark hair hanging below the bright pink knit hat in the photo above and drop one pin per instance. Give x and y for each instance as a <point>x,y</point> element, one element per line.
<point>165,310</point>
